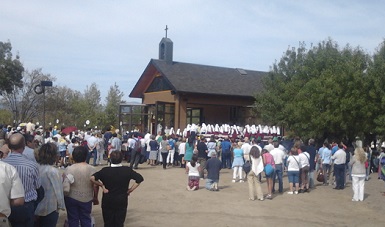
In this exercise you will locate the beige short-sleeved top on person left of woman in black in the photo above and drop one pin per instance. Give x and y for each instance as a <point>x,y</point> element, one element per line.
<point>82,189</point>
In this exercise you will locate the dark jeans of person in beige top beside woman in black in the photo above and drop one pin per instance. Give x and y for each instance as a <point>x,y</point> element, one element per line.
<point>78,212</point>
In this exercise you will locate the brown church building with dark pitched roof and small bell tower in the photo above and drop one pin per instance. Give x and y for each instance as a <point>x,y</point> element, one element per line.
<point>175,94</point>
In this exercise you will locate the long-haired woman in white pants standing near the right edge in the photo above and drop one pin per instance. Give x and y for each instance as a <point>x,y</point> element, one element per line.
<point>358,173</point>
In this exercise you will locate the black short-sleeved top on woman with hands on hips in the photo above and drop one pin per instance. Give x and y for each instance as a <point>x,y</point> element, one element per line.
<point>116,180</point>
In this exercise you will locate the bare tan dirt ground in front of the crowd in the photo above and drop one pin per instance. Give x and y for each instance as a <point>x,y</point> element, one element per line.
<point>162,200</point>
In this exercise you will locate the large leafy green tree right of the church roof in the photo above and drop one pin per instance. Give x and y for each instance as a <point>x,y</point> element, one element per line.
<point>318,92</point>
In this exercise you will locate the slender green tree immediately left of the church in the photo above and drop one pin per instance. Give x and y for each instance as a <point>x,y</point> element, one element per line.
<point>113,100</point>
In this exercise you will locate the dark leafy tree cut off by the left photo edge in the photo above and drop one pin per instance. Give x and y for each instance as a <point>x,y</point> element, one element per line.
<point>11,69</point>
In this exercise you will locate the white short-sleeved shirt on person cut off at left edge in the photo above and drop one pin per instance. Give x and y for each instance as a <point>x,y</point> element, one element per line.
<point>10,187</point>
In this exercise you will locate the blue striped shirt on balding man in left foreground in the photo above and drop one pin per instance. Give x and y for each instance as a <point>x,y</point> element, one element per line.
<point>28,172</point>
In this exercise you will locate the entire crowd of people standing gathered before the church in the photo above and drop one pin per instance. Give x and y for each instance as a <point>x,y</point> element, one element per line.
<point>48,171</point>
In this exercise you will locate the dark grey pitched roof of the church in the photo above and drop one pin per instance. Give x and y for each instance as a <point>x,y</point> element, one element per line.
<point>204,79</point>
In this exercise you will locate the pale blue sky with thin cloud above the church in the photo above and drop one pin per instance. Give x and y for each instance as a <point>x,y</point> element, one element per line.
<point>80,42</point>
